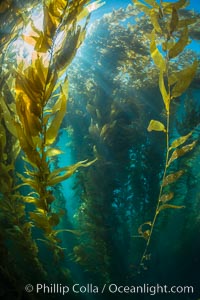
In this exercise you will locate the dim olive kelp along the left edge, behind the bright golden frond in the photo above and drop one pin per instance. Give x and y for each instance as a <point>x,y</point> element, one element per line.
<point>15,227</point>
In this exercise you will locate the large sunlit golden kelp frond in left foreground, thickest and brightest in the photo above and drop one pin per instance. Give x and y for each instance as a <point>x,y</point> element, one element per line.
<point>41,102</point>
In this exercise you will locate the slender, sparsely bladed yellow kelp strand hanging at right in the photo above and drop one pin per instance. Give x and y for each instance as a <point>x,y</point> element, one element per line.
<point>171,34</point>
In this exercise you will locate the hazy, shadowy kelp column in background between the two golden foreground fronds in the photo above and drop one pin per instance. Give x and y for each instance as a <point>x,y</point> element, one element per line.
<point>111,126</point>
